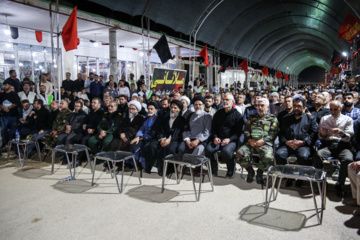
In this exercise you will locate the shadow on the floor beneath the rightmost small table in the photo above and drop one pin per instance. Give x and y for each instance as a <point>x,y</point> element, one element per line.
<point>274,218</point>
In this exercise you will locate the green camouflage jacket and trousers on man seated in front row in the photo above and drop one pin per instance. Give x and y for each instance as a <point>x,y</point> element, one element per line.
<point>257,128</point>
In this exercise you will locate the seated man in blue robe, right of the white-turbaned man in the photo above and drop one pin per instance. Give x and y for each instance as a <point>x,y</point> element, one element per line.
<point>143,138</point>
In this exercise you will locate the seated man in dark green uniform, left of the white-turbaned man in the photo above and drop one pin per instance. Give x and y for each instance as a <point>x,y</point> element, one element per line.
<point>108,125</point>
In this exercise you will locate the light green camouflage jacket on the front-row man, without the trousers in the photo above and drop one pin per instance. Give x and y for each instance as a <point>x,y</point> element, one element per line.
<point>265,128</point>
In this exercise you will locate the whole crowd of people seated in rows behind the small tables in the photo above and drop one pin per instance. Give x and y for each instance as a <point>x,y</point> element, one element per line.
<point>274,123</point>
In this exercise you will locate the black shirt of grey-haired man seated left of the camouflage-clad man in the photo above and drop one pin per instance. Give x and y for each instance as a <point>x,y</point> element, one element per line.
<point>227,125</point>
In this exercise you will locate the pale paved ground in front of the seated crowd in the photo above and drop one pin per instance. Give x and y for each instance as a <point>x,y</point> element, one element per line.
<point>36,205</point>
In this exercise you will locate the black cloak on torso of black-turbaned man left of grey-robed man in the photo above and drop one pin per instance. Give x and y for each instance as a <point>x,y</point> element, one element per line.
<point>175,131</point>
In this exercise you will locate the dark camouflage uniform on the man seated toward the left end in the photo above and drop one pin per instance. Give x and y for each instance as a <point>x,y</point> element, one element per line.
<point>58,126</point>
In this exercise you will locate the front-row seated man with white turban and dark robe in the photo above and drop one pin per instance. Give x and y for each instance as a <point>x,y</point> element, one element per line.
<point>129,127</point>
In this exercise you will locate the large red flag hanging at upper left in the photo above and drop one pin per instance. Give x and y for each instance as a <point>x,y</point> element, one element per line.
<point>69,32</point>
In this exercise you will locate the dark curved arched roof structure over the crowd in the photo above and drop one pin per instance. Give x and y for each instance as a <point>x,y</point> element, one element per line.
<point>287,35</point>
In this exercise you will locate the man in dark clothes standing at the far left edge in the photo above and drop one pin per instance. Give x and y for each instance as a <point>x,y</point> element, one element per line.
<point>10,102</point>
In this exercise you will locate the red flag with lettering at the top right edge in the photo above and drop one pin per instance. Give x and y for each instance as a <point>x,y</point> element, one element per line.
<point>350,28</point>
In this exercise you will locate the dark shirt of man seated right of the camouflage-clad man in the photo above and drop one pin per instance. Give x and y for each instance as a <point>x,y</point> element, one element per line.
<point>305,129</point>
